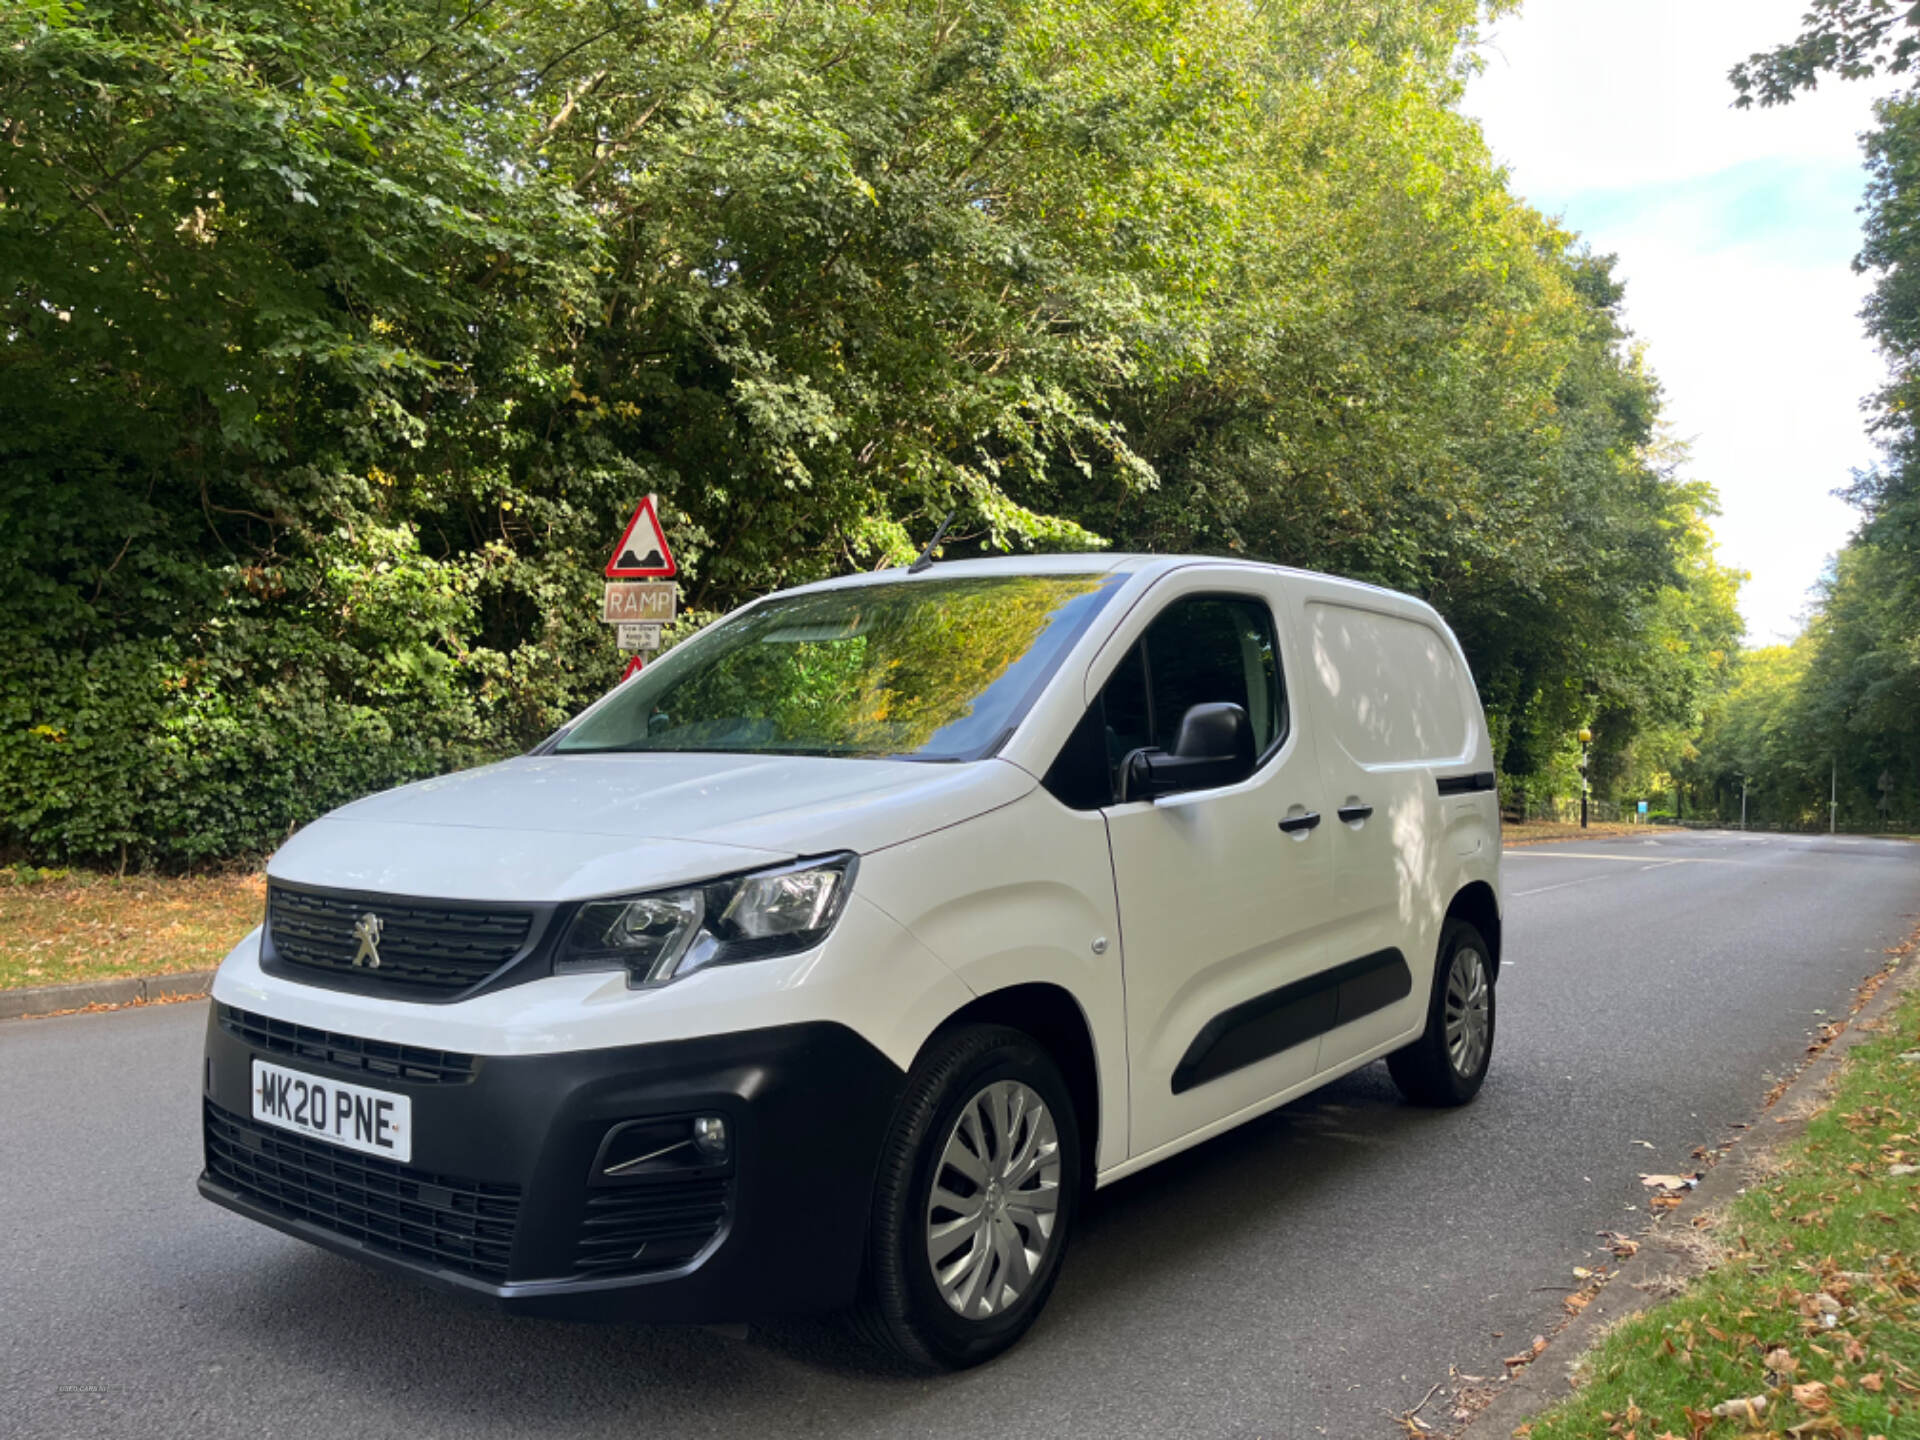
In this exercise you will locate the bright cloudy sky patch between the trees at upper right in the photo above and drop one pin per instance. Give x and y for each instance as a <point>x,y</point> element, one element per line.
<point>1735,233</point>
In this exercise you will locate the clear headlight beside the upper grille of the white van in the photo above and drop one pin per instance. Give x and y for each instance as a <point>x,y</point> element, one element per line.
<point>671,934</point>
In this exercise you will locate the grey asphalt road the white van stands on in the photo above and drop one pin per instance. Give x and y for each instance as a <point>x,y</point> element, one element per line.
<point>1310,1274</point>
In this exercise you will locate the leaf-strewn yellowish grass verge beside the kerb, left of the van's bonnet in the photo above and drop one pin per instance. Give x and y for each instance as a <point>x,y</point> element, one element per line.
<point>62,926</point>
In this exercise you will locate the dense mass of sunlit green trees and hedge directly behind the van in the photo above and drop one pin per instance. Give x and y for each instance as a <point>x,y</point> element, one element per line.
<point>341,339</point>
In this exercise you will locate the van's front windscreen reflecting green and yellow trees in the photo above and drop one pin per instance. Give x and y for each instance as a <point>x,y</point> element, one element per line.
<point>917,669</point>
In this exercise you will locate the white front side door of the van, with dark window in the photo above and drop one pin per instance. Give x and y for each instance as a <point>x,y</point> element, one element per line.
<point>1222,911</point>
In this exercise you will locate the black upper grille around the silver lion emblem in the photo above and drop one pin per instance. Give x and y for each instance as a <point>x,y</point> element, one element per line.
<point>423,948</point>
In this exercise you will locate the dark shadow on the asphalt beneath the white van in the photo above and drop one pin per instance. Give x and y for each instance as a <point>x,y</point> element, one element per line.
<point>435,1364</point>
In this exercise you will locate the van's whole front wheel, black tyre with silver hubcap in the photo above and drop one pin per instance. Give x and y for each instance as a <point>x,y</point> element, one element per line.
<point>974,1201</point>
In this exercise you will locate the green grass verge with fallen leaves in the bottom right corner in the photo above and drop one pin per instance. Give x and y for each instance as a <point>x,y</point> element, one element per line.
<point>1815,1314</point>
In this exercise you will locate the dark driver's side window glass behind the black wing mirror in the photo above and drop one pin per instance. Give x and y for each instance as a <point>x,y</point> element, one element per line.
<point>1199,650</point>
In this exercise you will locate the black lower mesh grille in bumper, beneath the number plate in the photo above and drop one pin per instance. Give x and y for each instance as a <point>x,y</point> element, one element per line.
<point>439,1220</point>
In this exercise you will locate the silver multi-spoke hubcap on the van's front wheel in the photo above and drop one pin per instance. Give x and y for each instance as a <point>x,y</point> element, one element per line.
<point>996,1201</point>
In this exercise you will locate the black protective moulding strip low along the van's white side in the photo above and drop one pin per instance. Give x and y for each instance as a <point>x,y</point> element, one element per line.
<point>1293,1015</point>
